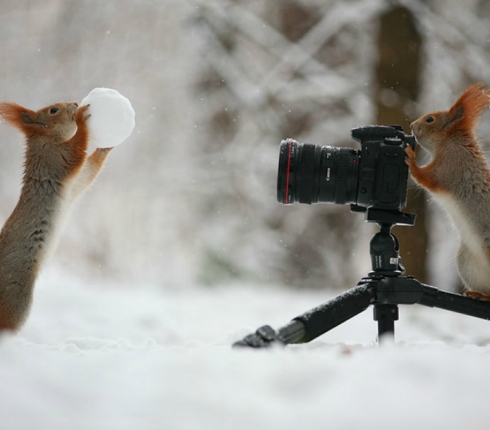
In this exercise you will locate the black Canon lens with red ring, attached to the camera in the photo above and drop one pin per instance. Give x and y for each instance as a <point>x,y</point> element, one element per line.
<point>313,173</point>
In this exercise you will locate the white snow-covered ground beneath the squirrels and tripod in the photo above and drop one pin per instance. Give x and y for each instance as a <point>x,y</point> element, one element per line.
<point>116,356</point>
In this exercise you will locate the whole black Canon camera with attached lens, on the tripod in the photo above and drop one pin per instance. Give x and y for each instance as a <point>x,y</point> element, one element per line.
<point>374,177</point>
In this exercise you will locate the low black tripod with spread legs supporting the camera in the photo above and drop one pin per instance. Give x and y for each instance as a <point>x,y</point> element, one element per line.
<point>385,288</point>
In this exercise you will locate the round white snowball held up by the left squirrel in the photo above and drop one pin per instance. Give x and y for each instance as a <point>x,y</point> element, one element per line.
<point>112,117</point>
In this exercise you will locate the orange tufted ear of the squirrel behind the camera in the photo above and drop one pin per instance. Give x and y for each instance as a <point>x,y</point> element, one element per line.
<point>464,114</point>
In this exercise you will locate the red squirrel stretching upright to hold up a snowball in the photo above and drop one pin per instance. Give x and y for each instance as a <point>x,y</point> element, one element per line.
<point>56,171</point>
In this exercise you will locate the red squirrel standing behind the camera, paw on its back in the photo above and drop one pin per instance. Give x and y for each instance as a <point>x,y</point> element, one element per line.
<point>458,176</point>
